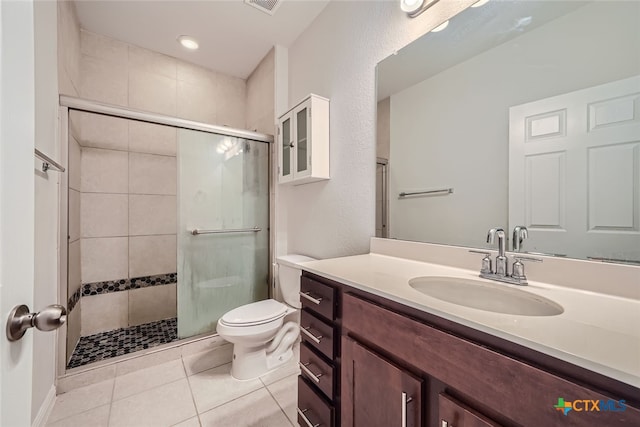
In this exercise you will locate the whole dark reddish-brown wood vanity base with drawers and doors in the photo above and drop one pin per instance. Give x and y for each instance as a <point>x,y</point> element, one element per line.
<point>369,361</point>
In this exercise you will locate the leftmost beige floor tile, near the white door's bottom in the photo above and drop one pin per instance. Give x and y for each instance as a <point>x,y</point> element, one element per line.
<point>81,399</point>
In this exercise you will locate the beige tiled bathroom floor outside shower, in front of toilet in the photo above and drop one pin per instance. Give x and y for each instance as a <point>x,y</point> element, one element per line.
<point>188,392</point>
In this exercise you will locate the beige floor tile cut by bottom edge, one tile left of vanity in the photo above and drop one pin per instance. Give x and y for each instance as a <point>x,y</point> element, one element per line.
<point>257,409</point>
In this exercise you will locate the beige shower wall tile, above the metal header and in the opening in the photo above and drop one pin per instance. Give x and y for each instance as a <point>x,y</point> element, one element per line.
<point>122,173</point>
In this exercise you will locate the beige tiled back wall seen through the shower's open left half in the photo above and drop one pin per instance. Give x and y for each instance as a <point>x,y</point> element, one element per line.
<point>128,218</point>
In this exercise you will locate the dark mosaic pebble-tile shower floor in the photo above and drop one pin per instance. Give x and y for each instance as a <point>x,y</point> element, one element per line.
<point>121,341</point>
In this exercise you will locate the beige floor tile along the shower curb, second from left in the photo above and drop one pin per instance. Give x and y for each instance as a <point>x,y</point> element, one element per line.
<point>146,379</point>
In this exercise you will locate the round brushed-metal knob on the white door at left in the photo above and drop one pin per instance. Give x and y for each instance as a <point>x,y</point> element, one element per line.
<point>20,319</point>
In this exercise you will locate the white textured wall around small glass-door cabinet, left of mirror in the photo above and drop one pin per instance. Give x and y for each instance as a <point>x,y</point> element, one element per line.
<point>336,58</point>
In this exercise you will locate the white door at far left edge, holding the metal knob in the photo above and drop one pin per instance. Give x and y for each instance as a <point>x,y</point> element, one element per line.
<point>17,136</point>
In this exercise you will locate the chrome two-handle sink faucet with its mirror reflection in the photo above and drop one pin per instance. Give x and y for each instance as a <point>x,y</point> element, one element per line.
<point>501,273</point>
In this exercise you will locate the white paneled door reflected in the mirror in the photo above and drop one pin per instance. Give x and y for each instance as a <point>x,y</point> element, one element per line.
<point>574,172</point>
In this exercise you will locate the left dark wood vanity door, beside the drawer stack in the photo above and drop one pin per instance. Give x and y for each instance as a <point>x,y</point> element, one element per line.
<point>376,393</point>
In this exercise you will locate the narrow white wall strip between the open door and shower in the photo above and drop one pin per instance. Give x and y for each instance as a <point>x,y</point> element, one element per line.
<point>46,201</point>
